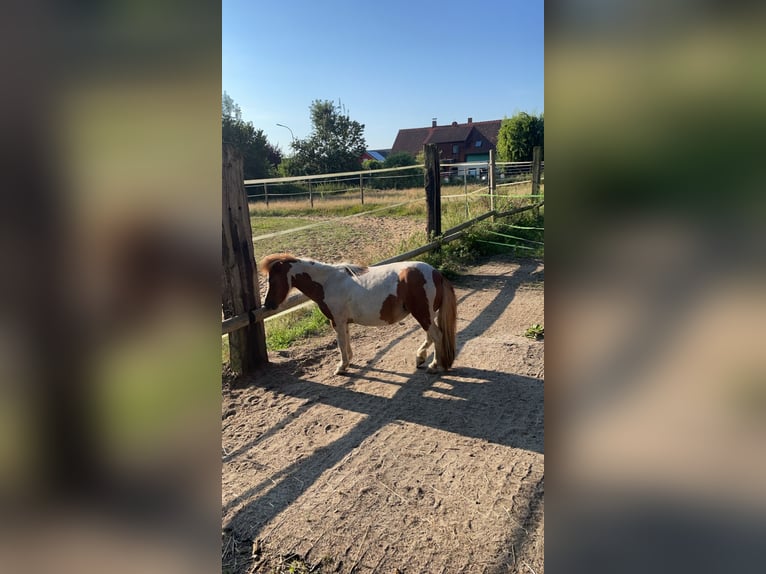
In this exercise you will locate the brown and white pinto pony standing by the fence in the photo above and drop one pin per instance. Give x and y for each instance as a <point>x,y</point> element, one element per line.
<point>373,296</point>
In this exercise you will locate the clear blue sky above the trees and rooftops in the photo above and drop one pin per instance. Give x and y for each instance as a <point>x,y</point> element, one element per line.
<point>392,64</point>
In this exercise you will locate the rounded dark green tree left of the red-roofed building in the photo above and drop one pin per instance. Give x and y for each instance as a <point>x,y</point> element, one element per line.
<point>335,144</point>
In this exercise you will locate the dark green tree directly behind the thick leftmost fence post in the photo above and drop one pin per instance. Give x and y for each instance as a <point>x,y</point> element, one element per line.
<point>260,157</point>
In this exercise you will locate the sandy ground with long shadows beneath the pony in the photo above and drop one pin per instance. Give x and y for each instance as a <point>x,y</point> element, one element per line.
<point>390,469</point>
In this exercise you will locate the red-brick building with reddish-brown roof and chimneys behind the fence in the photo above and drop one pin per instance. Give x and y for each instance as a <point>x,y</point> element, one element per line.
<point>456,142</point>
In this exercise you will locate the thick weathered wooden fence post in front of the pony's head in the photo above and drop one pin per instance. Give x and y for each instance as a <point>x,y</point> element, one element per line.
<point>240,286</point>
